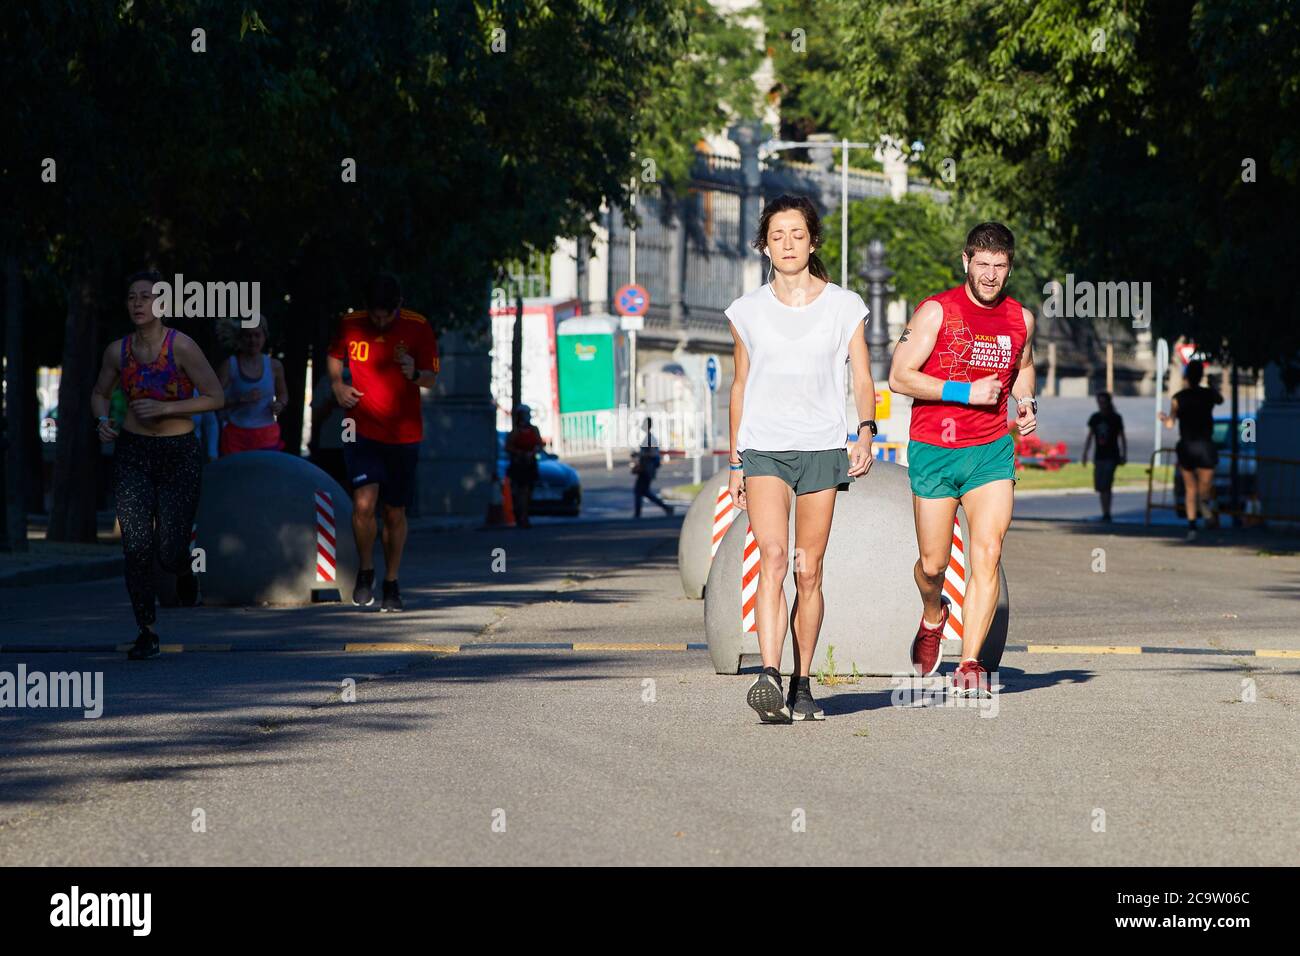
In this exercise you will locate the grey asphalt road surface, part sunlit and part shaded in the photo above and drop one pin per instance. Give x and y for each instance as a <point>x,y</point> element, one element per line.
<point>497,754</point>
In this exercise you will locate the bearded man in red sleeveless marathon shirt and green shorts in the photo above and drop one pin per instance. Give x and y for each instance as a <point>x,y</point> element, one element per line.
<point>959,358</point>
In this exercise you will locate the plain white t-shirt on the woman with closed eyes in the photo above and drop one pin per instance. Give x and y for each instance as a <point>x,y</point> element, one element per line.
<point>795,396</point>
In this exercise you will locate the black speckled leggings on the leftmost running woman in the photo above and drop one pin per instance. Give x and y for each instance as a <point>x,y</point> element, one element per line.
<point>157,485</point>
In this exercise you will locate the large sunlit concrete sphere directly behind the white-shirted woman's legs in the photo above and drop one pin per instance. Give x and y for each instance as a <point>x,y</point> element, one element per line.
<point>872,602</point>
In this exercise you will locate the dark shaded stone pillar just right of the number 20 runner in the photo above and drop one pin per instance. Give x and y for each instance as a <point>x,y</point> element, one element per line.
<point>458,457</point>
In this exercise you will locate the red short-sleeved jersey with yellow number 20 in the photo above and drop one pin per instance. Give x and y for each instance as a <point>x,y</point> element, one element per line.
<point>389,409</point>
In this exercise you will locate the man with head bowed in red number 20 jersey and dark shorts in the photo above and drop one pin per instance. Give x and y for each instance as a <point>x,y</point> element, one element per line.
<point>392,353</point>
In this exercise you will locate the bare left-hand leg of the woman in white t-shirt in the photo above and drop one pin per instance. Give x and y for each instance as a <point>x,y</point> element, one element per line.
<point>769,505</point>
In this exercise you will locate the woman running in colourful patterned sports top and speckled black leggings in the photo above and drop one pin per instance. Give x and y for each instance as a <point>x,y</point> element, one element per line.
<point>157,461</point>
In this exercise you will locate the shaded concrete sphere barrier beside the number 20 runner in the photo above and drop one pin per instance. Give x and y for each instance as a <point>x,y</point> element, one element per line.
<point>267,534</point>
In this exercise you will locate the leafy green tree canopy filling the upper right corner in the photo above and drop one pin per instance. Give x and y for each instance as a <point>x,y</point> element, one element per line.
<point>1117,127</point>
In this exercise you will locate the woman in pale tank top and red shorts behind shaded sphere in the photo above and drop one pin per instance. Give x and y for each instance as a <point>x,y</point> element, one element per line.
<point>255,395</point>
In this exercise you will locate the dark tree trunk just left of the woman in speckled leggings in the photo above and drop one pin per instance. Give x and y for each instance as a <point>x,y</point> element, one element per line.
<point>72,512</point>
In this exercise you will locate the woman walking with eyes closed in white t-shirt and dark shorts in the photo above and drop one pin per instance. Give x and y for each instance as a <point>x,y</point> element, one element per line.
<point>795,338</point>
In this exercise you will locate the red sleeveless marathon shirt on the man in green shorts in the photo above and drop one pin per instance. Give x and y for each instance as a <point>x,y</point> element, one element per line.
<point>973,343</point>
